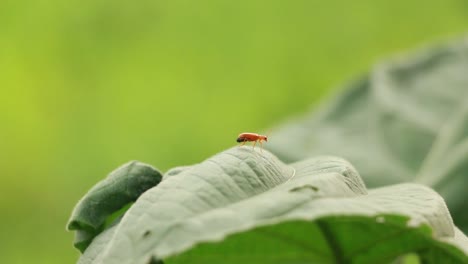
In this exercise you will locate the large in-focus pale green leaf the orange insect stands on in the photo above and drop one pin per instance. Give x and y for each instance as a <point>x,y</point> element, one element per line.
<point>244,205</point>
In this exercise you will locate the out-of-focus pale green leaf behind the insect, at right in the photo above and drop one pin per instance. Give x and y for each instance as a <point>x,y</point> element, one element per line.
<point>407,120</point>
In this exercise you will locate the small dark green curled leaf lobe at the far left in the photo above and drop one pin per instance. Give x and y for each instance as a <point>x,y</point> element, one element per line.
<point>121,187</point>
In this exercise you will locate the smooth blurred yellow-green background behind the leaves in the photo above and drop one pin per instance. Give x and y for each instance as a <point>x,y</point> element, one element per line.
<point>88,85</point>
